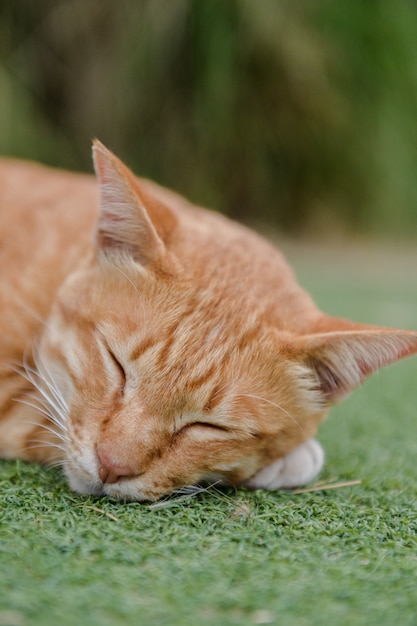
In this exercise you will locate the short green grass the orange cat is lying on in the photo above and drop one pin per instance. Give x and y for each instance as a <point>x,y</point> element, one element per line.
<point>347,556</point>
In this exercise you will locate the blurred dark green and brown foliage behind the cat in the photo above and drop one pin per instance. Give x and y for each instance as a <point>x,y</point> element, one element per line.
<point>298,115</point>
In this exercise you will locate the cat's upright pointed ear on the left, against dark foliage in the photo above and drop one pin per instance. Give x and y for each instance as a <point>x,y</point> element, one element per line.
<point>124,224</point>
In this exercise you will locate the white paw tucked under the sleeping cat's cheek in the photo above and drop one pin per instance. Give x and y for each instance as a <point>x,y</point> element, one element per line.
<point>296,468</point>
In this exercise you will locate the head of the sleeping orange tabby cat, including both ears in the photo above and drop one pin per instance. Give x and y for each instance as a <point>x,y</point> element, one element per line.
<point>161,377</point>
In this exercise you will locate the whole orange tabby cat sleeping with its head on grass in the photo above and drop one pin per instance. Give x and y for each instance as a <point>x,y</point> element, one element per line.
<point>148,344</point>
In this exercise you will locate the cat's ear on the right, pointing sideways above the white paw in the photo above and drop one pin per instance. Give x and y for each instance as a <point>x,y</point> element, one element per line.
<point>340,361</point>
